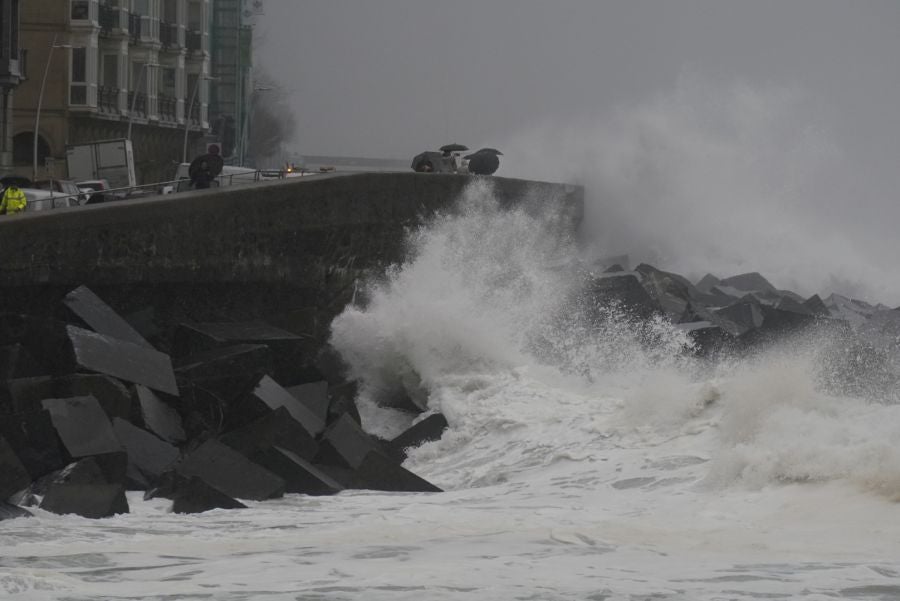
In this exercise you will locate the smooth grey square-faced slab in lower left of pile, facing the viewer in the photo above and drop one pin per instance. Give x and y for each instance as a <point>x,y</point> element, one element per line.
<point>83,426</point>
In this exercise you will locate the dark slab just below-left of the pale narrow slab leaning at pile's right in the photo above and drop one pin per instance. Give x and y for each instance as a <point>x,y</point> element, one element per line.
<point>276,428</point>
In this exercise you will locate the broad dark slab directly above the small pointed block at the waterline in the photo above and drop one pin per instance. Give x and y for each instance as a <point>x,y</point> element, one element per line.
<point>230,472</point>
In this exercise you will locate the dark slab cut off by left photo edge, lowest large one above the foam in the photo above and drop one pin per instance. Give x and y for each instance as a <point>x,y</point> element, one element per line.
<point>33,438</point>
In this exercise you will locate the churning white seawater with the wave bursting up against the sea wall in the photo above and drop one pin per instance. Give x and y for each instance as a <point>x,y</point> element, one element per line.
<point>581,462</point>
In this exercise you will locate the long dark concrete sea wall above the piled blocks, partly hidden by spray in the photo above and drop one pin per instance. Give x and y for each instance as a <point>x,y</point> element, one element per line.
<point>291,252</point>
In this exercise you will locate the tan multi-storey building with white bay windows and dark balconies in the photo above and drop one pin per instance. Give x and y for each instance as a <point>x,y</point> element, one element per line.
<point>114,69</point>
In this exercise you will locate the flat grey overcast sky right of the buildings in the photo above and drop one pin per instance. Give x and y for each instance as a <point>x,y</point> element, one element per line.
<point>798,85</point>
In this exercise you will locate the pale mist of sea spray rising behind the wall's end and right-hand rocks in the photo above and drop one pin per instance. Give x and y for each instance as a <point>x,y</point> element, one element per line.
<point>722,179</point>
